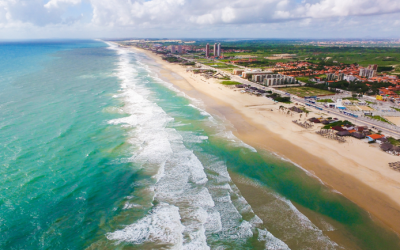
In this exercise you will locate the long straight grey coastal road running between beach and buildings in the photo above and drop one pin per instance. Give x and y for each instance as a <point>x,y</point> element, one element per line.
<point>335,112</point>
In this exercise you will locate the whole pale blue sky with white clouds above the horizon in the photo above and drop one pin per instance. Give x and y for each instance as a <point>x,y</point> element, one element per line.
<point>26,19</point>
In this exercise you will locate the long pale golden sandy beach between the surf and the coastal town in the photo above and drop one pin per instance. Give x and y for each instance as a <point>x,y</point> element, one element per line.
<point>356,169</point>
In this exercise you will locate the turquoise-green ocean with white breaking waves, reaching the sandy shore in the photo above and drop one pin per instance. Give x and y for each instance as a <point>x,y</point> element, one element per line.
<point>97,151</point>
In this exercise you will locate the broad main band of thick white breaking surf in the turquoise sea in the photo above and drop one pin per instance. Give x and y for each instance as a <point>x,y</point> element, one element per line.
<point>179,176</point>
